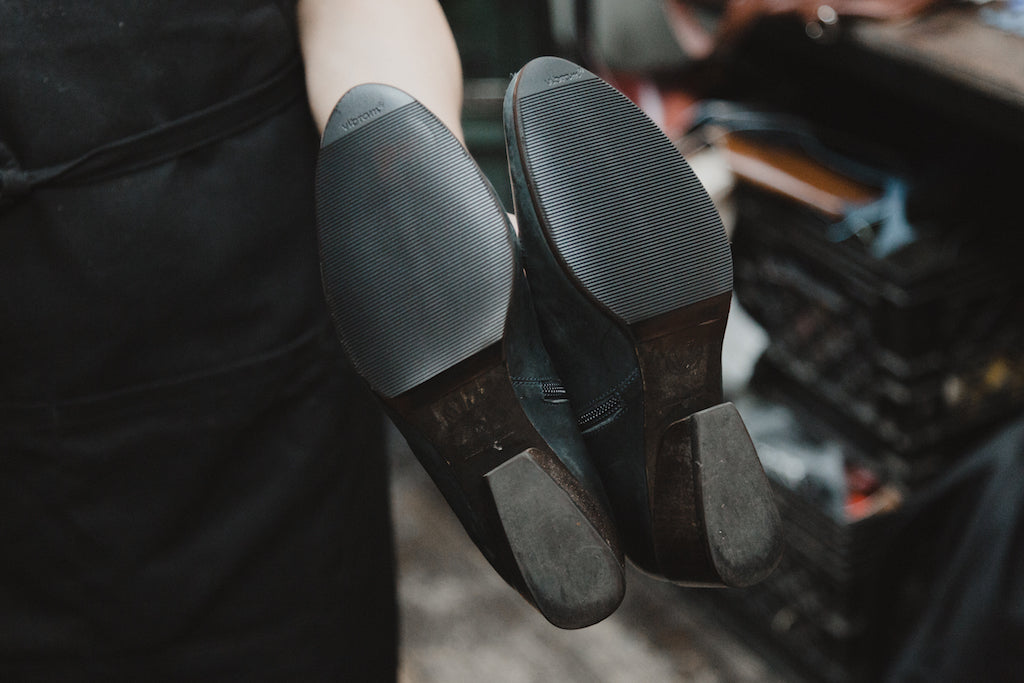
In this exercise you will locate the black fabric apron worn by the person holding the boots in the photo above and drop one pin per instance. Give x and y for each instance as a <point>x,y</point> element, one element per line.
<point>192,484</point>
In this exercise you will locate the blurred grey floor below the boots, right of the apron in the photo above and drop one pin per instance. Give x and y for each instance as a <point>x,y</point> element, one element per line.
<point>461,623</point>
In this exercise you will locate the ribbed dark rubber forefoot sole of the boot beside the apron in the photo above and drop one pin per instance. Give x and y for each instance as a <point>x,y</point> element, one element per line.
<point>417,269</point>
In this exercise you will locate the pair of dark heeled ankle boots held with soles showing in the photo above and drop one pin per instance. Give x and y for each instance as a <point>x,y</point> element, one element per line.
<point>562,387</point>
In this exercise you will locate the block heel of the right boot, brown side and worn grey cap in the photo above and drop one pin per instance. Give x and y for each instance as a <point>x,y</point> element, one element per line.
<point>712,494</point>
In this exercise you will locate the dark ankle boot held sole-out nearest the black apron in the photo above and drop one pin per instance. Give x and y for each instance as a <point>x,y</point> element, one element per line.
<point>430,301</point>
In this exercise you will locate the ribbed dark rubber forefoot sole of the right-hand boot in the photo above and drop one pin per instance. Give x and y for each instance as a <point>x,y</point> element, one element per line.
<point>622,208</point>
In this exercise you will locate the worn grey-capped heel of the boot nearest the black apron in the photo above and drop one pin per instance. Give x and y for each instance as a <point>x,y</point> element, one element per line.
<point>572,574</point>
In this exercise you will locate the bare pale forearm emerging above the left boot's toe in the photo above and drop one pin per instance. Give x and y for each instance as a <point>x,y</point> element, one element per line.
<point>405,44</point>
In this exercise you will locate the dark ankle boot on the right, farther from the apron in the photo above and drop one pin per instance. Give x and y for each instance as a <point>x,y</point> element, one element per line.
<point>632,279</point>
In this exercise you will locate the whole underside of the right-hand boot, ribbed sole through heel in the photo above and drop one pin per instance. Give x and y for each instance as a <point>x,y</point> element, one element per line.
<point>635,233</point>
